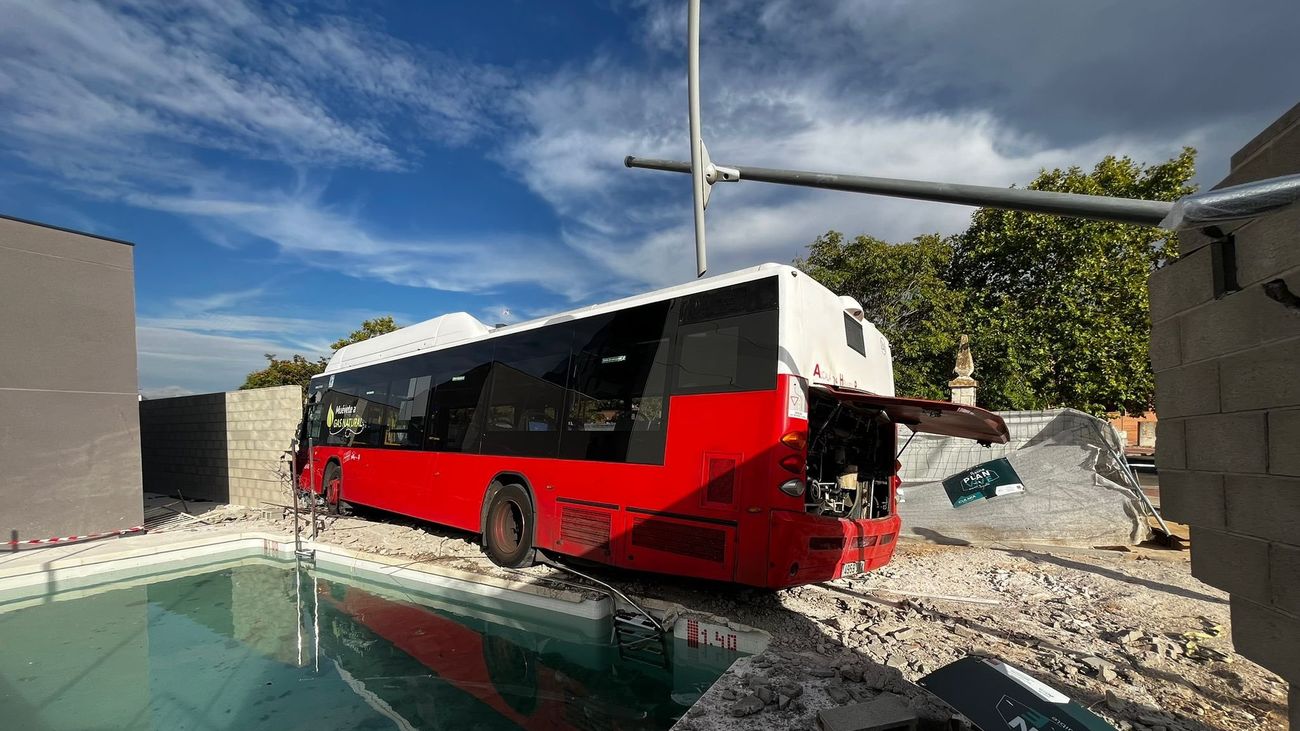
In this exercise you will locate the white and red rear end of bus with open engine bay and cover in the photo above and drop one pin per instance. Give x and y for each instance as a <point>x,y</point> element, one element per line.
<point>839,457</point>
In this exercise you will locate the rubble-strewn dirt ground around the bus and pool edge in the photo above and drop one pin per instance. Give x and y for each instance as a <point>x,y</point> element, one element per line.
<point>1130,635</point>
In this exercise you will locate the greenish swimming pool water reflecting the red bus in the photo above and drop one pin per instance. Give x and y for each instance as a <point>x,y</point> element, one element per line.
<point>265,645</point>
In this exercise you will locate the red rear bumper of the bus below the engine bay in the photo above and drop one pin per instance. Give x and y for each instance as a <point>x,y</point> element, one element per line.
<point>807,550</point>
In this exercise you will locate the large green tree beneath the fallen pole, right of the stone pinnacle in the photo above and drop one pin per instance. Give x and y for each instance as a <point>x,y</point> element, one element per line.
<point>1058,309</point>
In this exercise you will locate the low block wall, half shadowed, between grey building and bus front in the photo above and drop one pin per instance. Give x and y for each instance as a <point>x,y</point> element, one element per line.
<point>224,447</point>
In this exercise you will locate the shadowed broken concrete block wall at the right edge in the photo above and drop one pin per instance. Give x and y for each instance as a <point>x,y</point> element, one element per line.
<point>1228,392</point>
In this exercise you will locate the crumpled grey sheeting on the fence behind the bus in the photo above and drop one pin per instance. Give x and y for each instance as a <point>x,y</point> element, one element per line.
<point>1078,491</point>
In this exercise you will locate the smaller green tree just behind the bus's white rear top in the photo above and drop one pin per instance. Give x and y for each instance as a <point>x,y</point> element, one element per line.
<point>903,289</point>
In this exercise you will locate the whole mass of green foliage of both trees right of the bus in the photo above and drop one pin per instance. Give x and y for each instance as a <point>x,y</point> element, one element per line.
<point>1058,309</point>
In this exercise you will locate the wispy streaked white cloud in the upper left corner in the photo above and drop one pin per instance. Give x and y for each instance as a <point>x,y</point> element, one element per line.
<point>88,84</point>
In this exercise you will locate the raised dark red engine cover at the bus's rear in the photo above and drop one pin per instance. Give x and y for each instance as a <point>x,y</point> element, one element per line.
<point>930,417</point>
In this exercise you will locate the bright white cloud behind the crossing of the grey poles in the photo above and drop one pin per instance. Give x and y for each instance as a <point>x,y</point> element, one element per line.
<point>638,223</point>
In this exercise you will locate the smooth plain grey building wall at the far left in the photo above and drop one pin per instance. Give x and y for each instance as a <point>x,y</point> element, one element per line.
<point>70,429</point>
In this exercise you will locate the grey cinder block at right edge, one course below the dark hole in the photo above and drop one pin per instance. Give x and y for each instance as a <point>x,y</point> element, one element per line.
<point>1262,378</point>
